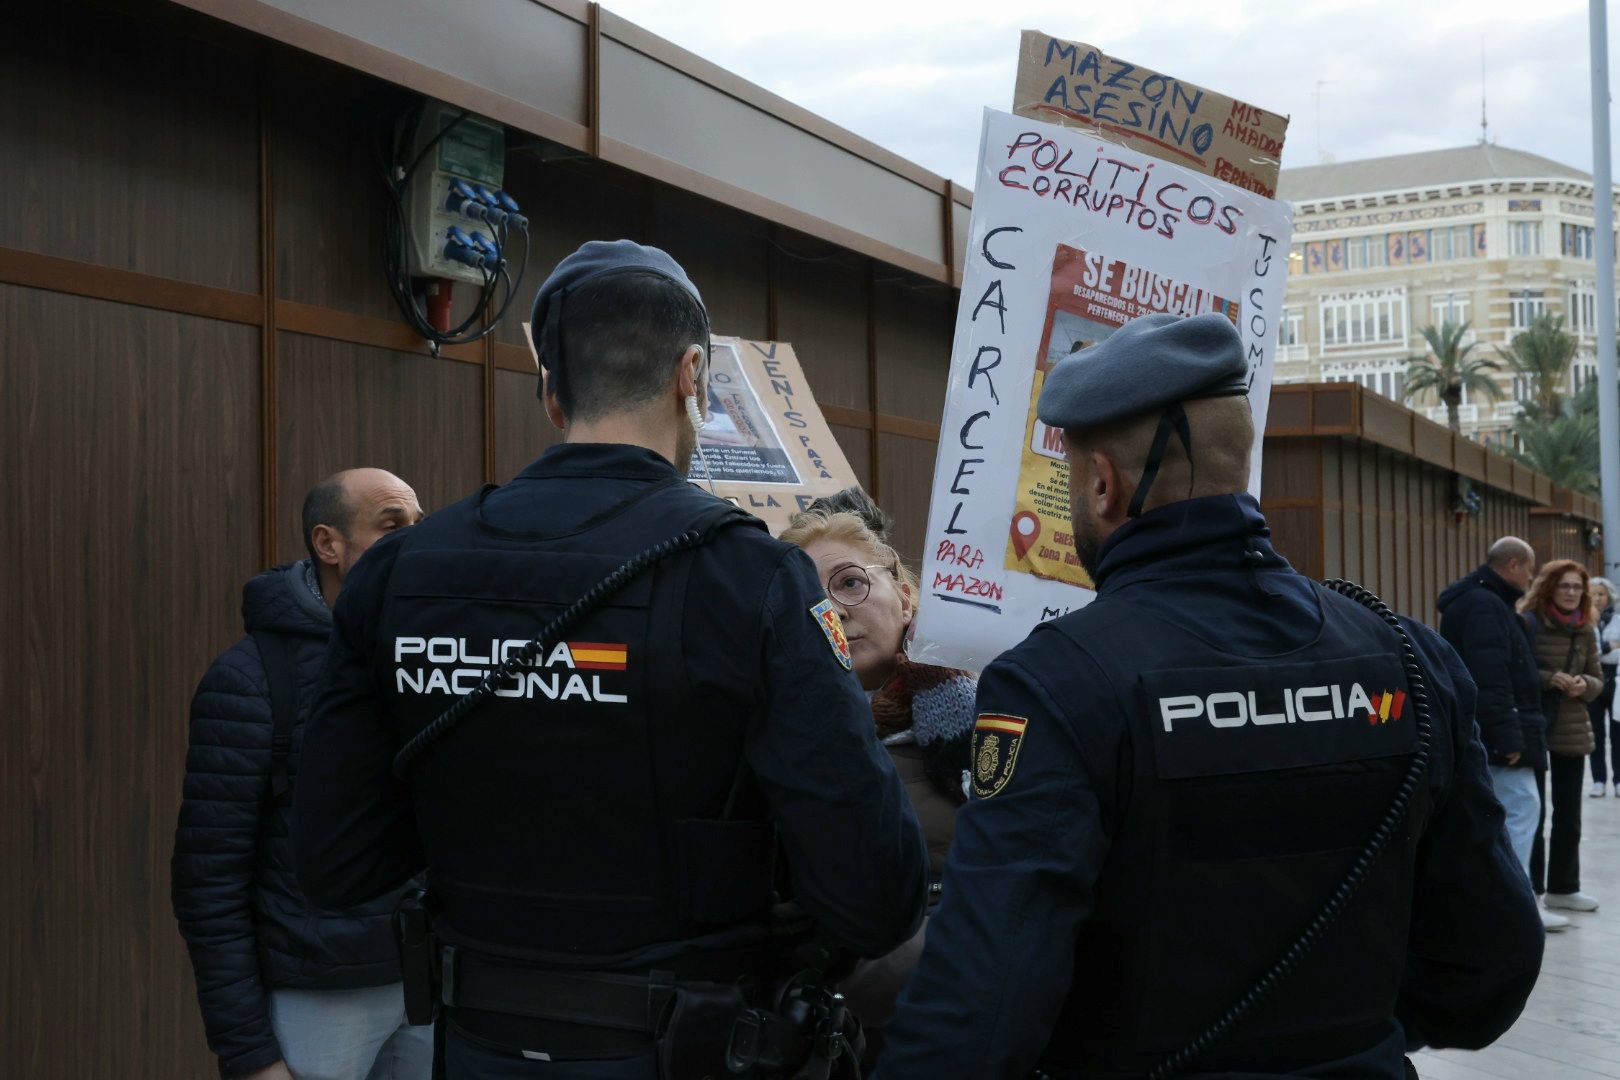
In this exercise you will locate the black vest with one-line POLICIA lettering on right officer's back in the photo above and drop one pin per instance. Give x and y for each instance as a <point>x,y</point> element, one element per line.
<point>1253,786</point>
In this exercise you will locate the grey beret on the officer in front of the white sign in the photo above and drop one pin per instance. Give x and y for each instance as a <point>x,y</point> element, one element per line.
<point>1146,365</point>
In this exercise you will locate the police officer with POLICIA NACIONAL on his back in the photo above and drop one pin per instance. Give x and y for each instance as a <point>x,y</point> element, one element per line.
<point>600,817</point>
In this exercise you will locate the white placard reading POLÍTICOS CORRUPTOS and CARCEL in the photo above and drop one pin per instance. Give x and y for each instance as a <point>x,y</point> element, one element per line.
<point>1070,239</point>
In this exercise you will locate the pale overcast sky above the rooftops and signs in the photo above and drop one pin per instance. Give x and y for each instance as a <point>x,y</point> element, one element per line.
<point>1396,75</point>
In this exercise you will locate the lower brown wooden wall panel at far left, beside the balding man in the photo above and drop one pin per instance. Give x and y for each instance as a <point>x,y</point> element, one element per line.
<point>132,521</point>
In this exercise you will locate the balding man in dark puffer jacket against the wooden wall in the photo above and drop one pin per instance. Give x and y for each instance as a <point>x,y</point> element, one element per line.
<point>288,990</point>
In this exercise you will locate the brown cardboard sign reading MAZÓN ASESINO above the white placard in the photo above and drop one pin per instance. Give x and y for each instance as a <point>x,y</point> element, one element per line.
<point>1081,87</point>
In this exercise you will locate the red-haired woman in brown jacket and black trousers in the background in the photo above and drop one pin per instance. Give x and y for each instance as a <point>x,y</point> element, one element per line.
<point>1562,624</point>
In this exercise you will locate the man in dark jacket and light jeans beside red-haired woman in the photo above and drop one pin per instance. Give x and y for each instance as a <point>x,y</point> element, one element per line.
<point>1478,621</point>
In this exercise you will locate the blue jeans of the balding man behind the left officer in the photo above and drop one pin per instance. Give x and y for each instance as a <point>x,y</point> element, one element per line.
<point>351,1035</point>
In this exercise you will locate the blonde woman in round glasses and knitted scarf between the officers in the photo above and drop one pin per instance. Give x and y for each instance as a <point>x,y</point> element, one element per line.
<point>924,715</point>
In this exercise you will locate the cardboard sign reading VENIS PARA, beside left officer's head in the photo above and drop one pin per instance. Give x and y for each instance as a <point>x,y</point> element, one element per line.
<point>765,440</point>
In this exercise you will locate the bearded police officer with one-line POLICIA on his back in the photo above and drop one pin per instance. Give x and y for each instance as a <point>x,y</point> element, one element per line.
<point>1226,822</point>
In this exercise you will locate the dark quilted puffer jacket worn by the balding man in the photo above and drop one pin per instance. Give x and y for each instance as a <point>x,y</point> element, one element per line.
<point>241,911</point>
